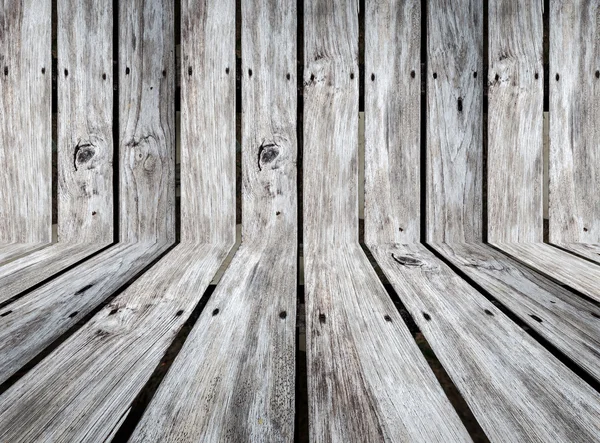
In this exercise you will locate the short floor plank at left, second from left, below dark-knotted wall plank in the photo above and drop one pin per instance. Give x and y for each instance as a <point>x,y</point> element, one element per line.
<point>24,273</point>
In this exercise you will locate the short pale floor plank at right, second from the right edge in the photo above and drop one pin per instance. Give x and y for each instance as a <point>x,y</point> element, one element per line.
<point>562,266</point>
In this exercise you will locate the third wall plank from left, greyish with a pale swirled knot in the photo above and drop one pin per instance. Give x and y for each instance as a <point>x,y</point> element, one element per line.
<point>147,120</point>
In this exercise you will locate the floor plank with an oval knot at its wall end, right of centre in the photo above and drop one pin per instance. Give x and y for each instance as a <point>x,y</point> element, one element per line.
<point>515,388</point>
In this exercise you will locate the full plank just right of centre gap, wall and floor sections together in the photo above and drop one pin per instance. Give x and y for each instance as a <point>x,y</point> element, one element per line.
<point>367,380</point>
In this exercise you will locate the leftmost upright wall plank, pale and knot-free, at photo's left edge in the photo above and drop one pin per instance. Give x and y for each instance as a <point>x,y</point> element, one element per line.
<point>25,122</point>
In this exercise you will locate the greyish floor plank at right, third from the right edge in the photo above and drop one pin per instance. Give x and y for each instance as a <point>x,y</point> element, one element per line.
<point>568,322</point>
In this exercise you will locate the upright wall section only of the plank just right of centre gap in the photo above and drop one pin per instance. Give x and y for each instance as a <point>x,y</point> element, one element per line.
<point>331,75</point>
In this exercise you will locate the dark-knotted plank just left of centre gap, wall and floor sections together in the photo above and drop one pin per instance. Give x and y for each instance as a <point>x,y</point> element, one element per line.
<point>237,383</point>
